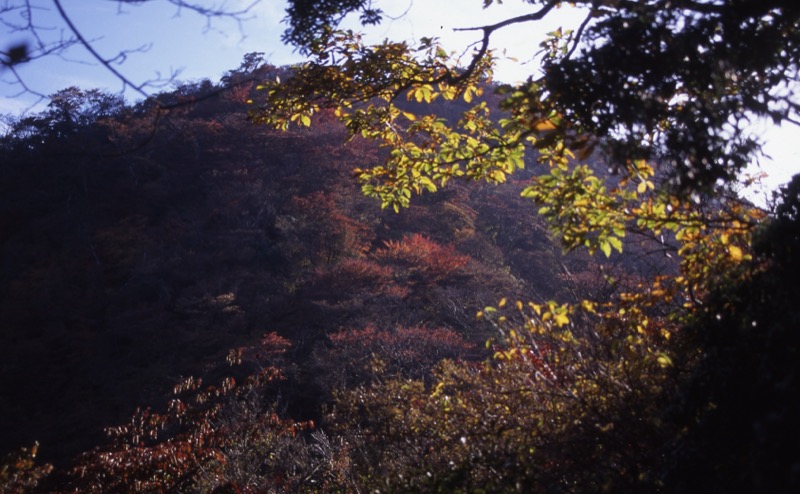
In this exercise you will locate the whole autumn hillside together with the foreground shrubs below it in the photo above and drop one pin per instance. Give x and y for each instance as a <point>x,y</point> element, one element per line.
<point>191,302</point>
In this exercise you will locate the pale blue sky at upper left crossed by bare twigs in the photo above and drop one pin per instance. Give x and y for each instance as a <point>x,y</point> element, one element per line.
<point>175,40</point>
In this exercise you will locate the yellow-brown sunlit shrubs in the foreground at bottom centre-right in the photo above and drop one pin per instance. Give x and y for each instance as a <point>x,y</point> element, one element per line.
<point>559,373</point>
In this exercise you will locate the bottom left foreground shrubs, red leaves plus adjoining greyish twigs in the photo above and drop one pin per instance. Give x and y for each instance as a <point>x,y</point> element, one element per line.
<point>226,437</point>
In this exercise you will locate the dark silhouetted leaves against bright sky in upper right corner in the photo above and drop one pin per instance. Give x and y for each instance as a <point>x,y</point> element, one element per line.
<point>678,83</point>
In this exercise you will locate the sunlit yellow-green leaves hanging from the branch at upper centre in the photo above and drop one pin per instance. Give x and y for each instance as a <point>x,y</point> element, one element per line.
<point>362,83</point>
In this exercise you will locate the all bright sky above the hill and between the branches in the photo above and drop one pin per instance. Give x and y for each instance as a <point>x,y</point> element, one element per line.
<point>163,40</point>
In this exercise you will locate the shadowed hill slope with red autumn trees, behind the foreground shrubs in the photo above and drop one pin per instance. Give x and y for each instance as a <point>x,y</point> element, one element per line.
<point>140,245</point>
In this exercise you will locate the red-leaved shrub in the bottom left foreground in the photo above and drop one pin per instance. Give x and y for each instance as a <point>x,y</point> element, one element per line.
<point>188,447</point>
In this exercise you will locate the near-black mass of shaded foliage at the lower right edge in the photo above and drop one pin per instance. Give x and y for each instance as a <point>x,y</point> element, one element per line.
<point>747,377</point>
